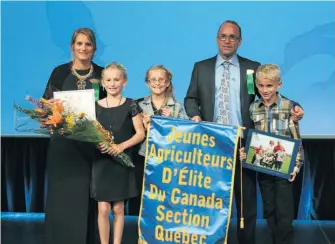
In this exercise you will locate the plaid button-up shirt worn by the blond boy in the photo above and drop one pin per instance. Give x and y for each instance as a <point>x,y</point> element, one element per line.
<point>277,119</point>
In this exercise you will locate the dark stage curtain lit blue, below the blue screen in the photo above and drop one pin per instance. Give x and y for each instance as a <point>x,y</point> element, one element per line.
<point>23,178</point>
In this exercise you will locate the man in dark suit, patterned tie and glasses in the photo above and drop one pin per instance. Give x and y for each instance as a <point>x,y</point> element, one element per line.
<point>218,92</point>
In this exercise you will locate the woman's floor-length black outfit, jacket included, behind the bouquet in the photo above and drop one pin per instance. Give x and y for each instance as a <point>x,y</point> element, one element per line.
<point>69,165</point>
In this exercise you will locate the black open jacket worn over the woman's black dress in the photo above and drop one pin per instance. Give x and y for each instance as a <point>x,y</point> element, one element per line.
<point>59,74</point>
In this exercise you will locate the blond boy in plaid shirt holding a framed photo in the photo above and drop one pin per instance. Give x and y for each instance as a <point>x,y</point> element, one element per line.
<point>271,113</point>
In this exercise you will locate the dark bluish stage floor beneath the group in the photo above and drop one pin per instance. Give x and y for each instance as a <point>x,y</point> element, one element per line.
<point>27,228</point>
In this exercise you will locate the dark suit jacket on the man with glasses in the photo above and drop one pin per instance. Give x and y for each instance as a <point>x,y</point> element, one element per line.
<point>199,100</point>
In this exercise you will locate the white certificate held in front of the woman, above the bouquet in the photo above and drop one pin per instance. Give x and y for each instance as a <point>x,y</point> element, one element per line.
<point>78,101</point>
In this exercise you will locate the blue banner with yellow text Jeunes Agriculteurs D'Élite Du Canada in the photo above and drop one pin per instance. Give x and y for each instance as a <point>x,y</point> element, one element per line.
<point>188,182</point>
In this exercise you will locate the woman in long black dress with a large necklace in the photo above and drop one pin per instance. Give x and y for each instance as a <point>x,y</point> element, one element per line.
<point>69,162</point>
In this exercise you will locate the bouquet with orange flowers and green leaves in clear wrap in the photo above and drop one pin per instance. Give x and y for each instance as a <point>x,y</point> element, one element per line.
<point>54,119</point>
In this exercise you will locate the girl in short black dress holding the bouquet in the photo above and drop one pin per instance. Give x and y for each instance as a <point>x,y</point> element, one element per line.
<point>113,183</point>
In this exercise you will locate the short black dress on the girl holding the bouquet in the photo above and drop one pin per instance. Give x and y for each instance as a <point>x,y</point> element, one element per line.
<point>110,180</point>
